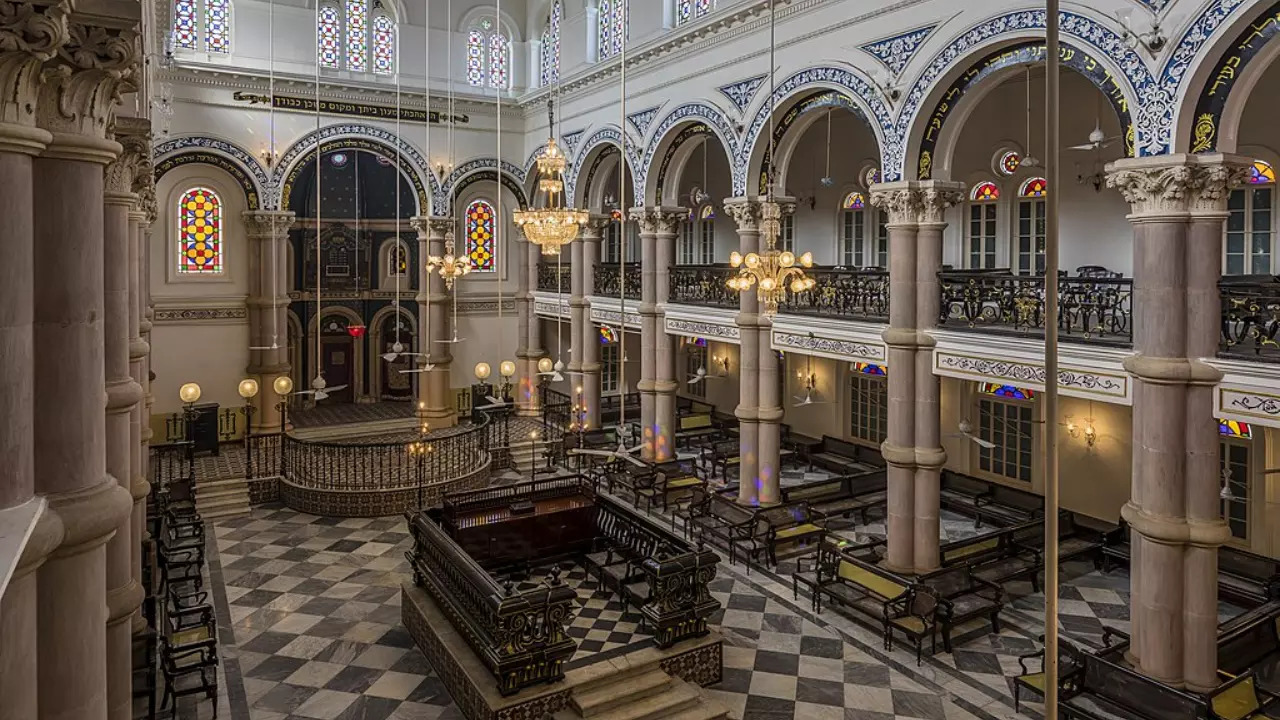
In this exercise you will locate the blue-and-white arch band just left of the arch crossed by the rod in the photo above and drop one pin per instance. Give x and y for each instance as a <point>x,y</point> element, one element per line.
<point>861,92</point>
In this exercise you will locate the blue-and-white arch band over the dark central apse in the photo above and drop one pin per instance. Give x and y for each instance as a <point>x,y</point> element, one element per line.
<point>356,136</point>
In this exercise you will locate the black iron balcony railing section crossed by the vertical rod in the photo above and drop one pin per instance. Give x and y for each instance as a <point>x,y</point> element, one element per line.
<point>1096,311</point>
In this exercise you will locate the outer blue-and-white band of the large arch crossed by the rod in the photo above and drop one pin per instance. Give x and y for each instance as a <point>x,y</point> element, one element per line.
<point>1151,133</point>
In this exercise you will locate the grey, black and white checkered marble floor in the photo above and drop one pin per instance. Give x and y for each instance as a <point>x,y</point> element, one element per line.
<point>310,617</point>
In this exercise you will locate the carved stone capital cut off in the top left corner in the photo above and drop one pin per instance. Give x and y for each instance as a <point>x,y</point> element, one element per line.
<point>30,35</point>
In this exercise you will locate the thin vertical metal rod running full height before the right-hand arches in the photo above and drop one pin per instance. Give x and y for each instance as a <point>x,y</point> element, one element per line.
<point>1053,151</point>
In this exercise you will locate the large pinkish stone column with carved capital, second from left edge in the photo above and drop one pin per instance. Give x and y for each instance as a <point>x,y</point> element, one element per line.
<point>75,107</point>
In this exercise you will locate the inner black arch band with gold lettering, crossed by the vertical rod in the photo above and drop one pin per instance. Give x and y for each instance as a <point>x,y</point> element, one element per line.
<point>1023,54</point>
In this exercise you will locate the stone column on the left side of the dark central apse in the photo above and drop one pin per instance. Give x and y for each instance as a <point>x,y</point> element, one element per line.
<point>268,231</point>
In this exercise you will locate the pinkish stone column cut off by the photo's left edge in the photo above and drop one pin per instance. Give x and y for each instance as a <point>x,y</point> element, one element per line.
<point>39,38</point>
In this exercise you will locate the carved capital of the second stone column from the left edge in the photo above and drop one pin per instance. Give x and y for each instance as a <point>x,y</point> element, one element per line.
<point>84,84</point>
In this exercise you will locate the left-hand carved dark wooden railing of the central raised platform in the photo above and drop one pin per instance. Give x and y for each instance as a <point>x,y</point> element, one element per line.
<point>520,637</point>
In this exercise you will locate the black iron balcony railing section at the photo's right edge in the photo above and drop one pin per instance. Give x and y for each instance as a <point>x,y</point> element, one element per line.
<point>1251,318</point>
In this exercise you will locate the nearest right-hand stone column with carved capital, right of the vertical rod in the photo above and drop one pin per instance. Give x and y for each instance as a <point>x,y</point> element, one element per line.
<point>1178,206</point>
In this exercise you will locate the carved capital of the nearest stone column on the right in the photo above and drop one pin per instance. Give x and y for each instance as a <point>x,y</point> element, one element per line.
<point>1177,185</point>
